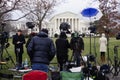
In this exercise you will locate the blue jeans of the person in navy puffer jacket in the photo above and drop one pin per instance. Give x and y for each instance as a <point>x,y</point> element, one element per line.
<point>40,66</point>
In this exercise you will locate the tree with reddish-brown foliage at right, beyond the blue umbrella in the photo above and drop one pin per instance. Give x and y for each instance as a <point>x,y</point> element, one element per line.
<point>110,12</point>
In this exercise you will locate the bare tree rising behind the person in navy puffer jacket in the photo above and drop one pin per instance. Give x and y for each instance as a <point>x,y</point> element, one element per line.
<point>40,9</point>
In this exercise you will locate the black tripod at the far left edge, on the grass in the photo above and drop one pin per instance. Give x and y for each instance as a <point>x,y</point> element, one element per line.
<point>4,47</point>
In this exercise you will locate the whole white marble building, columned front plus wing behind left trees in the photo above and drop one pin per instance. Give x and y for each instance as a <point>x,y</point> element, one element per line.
<point>76,24</point>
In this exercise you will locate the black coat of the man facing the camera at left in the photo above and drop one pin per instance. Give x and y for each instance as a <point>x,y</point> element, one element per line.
<point>21,39</point>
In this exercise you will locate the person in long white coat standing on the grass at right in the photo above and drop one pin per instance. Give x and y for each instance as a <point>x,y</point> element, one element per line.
<point>103,47</point>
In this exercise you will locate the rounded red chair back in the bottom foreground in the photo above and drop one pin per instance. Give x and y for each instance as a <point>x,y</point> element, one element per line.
<point>35,75</point>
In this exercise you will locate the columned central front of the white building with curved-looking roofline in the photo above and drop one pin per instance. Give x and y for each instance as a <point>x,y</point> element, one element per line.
<point>76,24</point>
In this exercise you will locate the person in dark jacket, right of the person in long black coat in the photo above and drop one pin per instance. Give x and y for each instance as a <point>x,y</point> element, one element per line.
<point>77,45</point>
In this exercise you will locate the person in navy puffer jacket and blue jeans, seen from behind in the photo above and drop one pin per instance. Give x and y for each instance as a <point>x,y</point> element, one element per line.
<point>42,50</point>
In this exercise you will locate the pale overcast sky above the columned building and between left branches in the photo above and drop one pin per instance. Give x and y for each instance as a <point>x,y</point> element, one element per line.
<point>75,6</point>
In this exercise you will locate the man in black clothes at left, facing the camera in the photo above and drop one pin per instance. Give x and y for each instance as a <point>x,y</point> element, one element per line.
<point>18,41</point>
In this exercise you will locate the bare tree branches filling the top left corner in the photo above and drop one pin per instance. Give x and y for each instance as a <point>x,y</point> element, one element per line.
<point>6,7</point>
